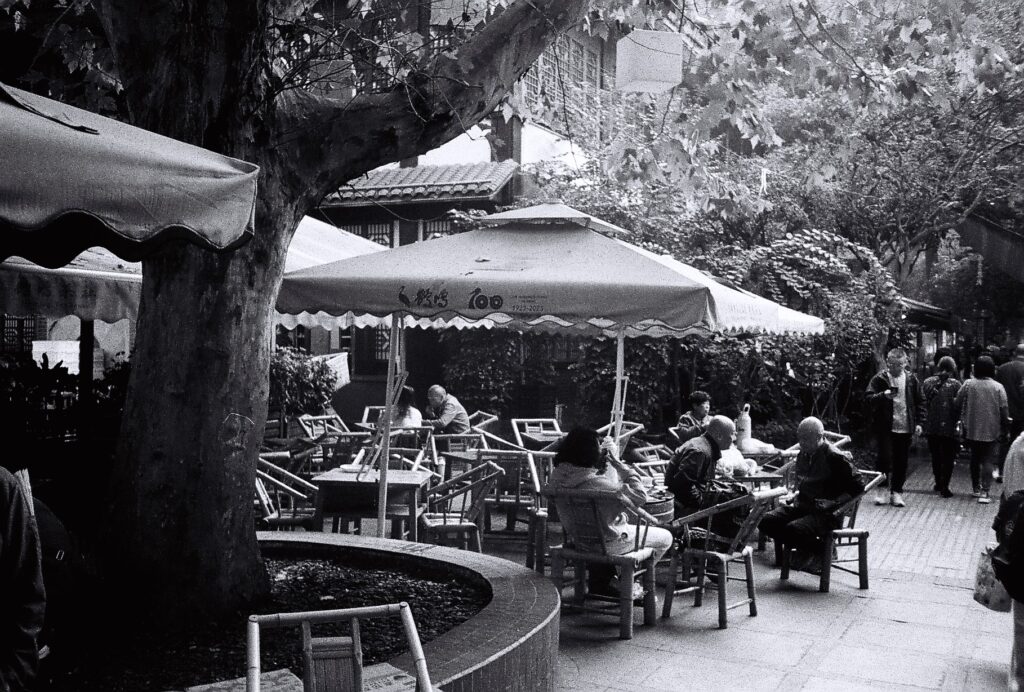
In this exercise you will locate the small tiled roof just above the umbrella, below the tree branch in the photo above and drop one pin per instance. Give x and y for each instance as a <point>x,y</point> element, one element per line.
<point>422,184</point>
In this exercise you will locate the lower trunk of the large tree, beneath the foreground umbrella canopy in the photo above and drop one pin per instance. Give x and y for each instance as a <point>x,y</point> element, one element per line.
<point>182,512</point>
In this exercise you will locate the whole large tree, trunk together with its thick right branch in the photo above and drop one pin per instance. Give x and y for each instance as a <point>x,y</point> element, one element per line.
<point>181,523</point>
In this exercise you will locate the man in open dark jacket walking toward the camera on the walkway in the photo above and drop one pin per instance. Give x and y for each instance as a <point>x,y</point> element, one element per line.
<point>900,410</point>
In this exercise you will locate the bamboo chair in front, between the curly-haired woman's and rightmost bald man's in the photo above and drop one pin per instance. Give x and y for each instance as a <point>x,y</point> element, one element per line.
<point>718,551</point>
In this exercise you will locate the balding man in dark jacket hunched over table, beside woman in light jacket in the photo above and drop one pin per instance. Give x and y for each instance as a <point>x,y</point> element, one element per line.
<point>693,467</point>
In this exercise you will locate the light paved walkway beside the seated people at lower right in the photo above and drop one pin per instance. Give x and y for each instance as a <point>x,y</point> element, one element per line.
<point>916,628</point>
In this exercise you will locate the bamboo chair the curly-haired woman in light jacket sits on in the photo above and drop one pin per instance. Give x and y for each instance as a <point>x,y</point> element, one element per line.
<point>585,546</point>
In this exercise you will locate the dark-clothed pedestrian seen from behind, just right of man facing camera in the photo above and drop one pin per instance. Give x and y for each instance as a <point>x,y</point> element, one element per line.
<point>941,422</point>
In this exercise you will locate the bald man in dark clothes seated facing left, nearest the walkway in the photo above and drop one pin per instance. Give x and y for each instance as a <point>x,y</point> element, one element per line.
<point>826,480</point>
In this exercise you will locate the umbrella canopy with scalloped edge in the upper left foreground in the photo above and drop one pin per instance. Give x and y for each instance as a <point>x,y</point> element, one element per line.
<point>71,180</point>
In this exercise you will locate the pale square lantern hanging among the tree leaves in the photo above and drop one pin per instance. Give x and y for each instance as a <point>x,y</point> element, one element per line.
<point>650,62</point>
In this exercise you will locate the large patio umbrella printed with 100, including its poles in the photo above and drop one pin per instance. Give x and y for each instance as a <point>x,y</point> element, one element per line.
<point>538,269</point>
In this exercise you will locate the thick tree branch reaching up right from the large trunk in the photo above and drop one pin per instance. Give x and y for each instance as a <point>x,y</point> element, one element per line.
<point>339,142</point>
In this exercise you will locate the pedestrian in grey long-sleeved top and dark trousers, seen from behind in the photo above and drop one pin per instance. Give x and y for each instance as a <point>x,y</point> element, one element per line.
<point>985,417</point>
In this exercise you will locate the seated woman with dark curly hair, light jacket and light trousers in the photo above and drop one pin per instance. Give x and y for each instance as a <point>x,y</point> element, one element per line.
<point>585,463</point>
